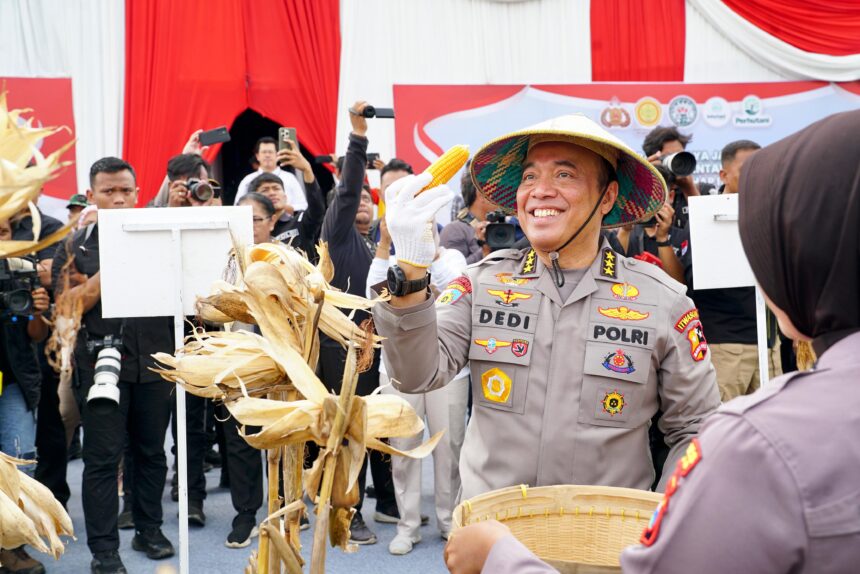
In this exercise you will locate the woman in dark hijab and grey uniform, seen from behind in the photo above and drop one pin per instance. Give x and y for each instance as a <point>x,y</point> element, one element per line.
<point>771,484</point>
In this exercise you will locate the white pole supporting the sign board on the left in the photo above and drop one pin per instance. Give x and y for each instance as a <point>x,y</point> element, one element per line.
<point>181,442</point>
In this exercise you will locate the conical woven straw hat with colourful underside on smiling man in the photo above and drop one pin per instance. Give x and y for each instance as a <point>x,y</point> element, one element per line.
<point>496,168</point>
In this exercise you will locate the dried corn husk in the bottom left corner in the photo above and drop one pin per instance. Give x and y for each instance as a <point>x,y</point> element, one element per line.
<point>28,511</point>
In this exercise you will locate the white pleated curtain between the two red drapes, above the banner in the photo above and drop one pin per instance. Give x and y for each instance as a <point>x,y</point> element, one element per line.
<point>387,42</point>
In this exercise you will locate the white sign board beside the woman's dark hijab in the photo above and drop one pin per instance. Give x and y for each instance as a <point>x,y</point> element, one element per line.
<point>718,256</point>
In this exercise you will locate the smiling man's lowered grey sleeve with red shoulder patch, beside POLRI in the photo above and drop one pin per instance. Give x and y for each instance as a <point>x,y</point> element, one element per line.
<point>688,383</point>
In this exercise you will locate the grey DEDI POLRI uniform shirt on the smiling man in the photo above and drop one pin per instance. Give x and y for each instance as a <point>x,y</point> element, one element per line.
<point>564,390</point>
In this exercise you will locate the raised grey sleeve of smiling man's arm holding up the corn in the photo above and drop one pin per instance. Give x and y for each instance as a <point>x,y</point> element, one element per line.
<point>428,344</point>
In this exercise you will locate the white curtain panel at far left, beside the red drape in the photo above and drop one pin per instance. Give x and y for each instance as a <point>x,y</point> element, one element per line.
<point>80,39</point>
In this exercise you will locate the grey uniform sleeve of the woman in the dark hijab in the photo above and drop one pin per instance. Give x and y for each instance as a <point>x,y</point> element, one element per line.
<point>734,508</point>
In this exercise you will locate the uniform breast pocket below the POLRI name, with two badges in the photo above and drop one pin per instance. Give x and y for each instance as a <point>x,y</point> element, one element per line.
<point>614,385</point>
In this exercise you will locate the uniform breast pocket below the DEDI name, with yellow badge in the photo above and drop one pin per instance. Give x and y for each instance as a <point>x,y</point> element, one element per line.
<point>499,366</point>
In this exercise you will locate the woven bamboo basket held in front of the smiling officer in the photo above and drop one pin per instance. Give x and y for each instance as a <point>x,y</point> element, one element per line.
<point>576,529</point>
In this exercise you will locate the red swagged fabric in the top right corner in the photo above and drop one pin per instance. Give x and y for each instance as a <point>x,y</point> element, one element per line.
<point>829,27</point>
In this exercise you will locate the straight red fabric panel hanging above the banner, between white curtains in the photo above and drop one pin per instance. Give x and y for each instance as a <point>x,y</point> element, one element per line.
<point>638,41</point>
